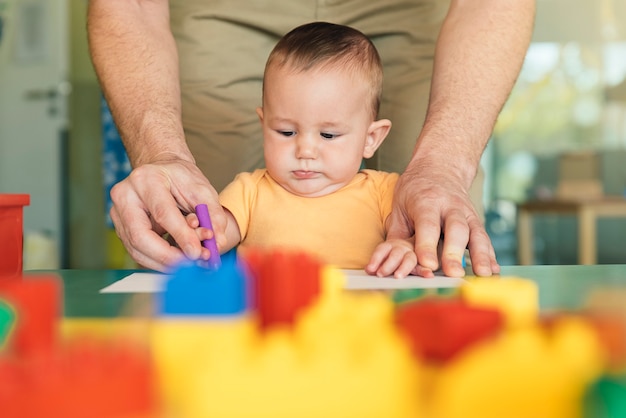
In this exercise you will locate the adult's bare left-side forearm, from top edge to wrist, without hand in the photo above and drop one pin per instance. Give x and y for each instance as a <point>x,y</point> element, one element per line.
<point>135,58</point>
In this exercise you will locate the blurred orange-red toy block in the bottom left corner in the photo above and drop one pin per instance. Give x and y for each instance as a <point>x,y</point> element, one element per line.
<point>82,378</point>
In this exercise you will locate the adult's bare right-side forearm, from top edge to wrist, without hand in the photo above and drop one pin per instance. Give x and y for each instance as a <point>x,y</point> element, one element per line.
<point>479,54</point>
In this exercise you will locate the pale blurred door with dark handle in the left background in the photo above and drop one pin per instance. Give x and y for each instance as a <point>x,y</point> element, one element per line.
<point>33,122</point>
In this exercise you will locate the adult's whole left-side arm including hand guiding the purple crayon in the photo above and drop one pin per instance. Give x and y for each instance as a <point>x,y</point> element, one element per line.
<point>135,57</point>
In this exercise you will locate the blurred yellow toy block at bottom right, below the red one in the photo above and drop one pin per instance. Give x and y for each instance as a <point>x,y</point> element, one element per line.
<point>526,372</point>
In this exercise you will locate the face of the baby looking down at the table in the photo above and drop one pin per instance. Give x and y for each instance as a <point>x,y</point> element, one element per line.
<point>315,127</point>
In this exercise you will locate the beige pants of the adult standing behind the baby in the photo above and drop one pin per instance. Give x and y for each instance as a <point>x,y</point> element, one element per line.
<point>223,46</point>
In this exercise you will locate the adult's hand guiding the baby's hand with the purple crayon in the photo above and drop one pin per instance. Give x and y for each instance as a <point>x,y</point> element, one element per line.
<point>152,201</point>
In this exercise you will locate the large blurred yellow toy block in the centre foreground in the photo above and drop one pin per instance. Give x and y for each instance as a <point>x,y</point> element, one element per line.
<point>343,356</point>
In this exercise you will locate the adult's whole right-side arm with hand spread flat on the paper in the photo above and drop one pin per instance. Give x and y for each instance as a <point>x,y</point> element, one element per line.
<point>479,53</point>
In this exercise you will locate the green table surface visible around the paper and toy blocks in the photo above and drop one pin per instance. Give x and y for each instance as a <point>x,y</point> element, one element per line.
<point>560,287</point>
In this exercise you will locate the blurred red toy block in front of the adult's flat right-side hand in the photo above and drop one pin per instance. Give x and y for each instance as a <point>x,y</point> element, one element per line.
<point>438,329</point>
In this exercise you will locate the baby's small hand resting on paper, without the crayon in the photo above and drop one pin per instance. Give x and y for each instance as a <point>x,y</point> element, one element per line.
<point>397,257</point>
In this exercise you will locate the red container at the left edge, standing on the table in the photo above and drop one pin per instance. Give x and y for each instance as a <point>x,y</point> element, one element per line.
<point>12,233</point>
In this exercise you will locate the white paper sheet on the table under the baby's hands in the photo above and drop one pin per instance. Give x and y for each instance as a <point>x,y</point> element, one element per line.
<point>356,279</point>
